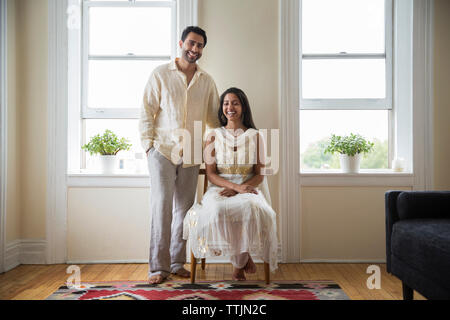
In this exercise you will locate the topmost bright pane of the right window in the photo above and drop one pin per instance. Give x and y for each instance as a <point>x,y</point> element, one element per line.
<point>352,26</point>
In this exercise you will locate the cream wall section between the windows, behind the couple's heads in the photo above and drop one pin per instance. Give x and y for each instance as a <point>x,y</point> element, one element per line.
<point>242,51</point>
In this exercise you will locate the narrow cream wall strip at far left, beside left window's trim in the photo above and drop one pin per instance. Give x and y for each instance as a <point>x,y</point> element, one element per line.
<point>31,104</point>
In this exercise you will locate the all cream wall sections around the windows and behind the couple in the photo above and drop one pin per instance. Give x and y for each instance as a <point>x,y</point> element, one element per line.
<point>242,51</point>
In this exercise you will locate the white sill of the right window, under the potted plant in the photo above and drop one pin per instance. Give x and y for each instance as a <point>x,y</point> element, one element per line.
<point>334,178</point>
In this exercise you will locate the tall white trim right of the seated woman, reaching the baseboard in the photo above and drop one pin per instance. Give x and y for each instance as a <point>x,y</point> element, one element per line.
<point>290,231</point>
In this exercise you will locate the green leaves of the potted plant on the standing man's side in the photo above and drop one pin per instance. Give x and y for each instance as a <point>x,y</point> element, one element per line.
<point>106,144</point>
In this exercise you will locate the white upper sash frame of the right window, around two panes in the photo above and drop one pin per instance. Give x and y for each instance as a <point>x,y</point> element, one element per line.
<point>355,104</point>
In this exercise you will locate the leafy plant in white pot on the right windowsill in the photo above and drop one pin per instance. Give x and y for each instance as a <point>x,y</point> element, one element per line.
<point>350,149</point>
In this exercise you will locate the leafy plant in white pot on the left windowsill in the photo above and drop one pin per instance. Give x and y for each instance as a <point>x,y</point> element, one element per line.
<point>107,146</point>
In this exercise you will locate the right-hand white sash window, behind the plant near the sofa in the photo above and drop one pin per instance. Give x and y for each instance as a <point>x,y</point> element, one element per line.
<point>346,79</point>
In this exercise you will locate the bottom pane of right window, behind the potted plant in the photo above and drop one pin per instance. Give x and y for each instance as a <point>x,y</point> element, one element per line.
<point>317,126</point>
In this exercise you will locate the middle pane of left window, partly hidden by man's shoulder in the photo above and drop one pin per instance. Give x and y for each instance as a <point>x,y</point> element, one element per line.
<point>118,83</point>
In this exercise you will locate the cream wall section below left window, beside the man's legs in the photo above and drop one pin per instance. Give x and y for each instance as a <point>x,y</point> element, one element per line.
<point>108,224</point>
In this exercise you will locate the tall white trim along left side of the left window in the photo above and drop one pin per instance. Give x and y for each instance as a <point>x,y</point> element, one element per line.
<point>56,223</point>
